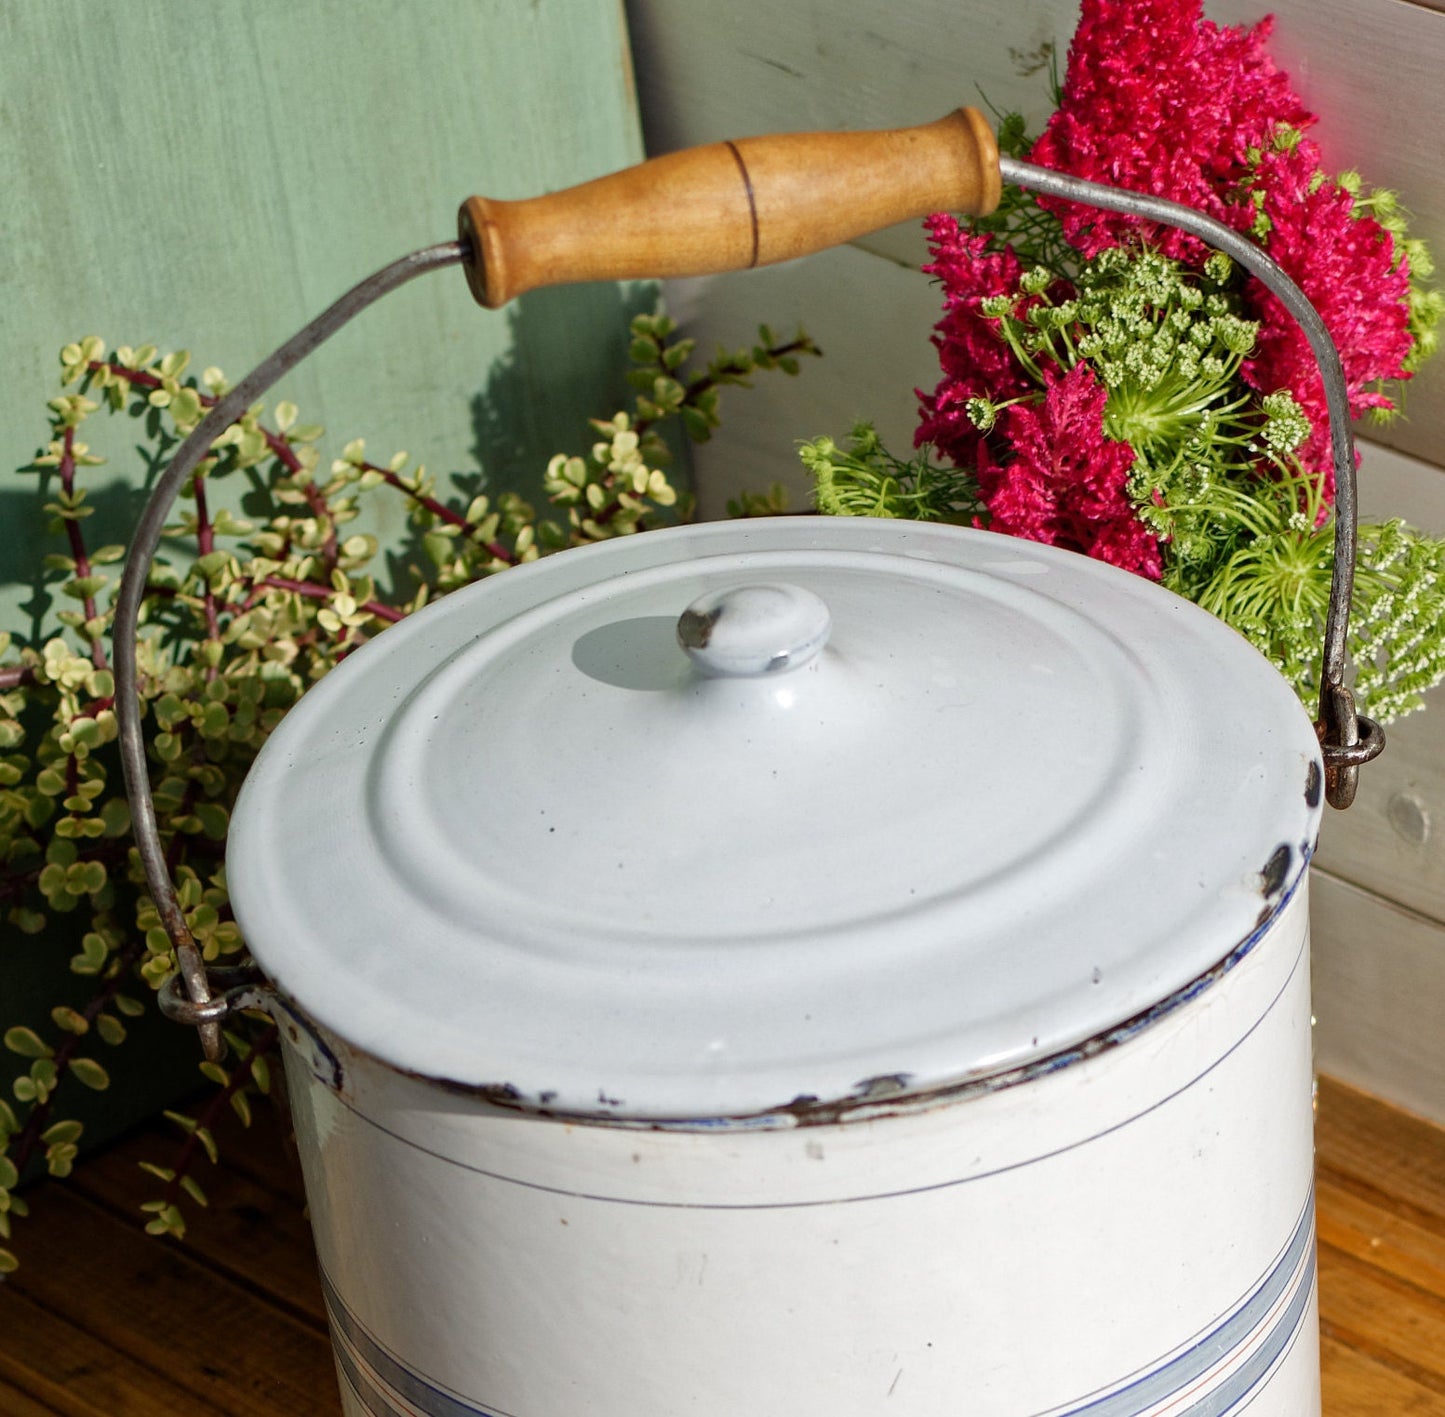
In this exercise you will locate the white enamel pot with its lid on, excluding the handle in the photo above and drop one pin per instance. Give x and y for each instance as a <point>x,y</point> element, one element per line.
<point>800,967</point>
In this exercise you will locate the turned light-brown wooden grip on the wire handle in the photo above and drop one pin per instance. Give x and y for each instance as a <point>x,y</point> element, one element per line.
<point>730,206</point>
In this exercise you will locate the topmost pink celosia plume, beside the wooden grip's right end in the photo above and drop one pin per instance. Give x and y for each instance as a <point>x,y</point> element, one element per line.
<point>1160,100</point>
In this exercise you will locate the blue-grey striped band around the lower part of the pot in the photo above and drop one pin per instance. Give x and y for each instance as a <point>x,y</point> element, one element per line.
<point>1215,1376</point>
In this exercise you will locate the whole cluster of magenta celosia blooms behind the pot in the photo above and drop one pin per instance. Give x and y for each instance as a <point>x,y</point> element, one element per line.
<point>1160,100</point>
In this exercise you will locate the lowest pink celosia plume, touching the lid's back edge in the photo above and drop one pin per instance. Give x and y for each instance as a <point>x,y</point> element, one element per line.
<point>1066,480</point>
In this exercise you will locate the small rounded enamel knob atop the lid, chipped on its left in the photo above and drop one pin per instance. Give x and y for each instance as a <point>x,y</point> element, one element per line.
<point>755,630</point>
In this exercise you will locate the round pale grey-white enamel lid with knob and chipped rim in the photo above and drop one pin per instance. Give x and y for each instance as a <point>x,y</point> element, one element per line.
<point>699,824</point>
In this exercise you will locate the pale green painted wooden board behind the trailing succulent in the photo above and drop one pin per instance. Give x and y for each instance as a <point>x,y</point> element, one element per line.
<point>213,177</point>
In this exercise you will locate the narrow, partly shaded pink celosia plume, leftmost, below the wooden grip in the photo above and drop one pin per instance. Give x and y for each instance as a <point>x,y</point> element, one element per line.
<point>975,360</point>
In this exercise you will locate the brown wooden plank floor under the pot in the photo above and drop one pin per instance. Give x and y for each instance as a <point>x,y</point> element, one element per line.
<point>105,1322</point>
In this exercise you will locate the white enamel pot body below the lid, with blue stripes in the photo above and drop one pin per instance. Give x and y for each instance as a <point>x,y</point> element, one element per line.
<point>1035,1252</point>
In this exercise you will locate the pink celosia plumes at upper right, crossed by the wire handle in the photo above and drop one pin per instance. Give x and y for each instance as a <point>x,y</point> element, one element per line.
<point>1161,100</point>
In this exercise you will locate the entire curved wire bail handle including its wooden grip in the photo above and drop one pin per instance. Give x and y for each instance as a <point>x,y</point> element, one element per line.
<point>732,206</point>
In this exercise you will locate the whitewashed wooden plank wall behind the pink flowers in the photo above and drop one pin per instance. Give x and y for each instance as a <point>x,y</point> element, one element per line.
<point>1371,69</point>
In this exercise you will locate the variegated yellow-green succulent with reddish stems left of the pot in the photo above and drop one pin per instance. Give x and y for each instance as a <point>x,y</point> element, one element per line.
<point>233,632</point>
